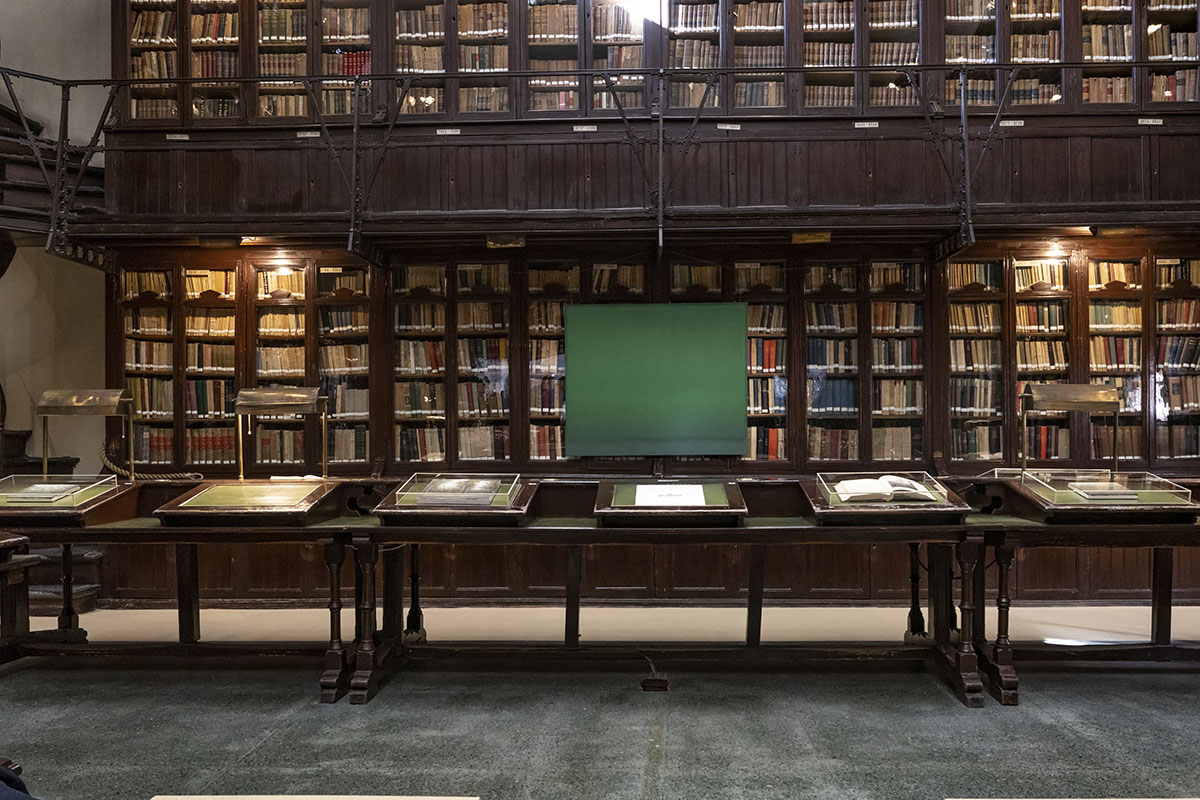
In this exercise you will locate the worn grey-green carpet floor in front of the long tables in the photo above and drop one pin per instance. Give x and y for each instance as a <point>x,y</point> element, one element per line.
<point>89,733</point>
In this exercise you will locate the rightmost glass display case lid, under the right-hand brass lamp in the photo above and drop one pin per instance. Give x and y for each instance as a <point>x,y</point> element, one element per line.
<point>1102,488</point>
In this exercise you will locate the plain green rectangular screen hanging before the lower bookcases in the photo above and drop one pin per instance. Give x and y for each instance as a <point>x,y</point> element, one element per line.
<point>657,380</point>
